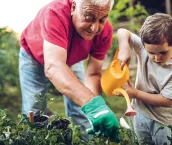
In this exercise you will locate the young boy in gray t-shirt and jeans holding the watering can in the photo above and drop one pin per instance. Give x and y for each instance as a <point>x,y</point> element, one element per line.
<point>152,95</point>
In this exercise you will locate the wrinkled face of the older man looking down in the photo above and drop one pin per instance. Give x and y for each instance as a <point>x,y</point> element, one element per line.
<point>89,19</point>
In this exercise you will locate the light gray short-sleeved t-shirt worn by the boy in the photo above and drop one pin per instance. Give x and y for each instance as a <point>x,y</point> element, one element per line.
<point>155,79</point>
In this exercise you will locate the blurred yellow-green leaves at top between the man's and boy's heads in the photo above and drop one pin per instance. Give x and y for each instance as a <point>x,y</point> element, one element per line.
<point>123,11</point>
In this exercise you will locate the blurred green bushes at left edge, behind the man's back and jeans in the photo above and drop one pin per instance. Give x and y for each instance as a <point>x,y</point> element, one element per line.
<point>9,79</point>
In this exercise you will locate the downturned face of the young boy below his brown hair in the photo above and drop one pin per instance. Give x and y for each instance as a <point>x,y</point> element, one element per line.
<point>159,54</point>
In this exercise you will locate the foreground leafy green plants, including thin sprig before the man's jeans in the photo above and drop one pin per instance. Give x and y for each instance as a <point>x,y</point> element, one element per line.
<point>59,130</point>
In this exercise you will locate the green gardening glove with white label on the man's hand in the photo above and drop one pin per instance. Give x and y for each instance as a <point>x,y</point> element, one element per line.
<point>102,118</point>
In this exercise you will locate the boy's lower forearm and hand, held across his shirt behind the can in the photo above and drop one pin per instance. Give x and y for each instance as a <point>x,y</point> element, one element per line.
<point>153,99</point>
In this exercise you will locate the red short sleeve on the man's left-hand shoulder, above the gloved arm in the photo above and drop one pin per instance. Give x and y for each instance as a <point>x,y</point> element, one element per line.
<point>53,29</point>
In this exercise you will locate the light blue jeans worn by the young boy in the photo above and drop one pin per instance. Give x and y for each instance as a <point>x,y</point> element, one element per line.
<point>146,129</point>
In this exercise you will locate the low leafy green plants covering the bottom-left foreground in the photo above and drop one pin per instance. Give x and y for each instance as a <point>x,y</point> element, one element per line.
<point>23,132</point>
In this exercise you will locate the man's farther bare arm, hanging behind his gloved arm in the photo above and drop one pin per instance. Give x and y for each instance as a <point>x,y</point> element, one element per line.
<point>93,75</point>
